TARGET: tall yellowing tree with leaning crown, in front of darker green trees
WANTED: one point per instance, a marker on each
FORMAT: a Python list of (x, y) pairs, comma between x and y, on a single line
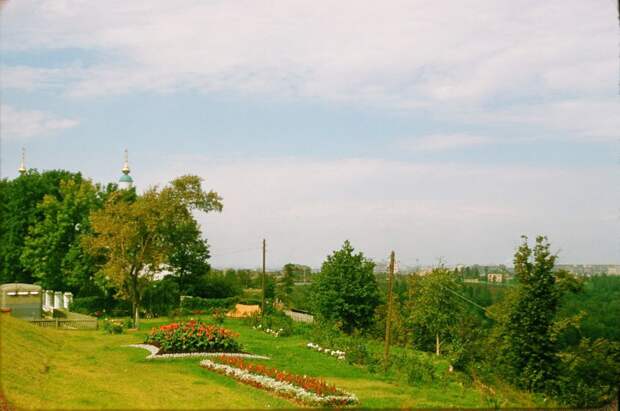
[(137, 239)]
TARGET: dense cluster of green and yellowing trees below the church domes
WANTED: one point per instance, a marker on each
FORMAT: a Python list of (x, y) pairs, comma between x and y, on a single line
[(66, 233)]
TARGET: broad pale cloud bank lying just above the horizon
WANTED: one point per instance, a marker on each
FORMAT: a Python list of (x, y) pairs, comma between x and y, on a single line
[(466, 213)]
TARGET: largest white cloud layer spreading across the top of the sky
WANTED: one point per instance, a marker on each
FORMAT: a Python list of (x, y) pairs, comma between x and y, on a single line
[(475, 56)]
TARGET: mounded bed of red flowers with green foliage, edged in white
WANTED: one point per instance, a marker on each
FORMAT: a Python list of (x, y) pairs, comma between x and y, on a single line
[(193, 336)]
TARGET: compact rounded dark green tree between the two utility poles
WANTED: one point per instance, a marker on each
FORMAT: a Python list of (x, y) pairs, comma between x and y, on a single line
[(346, 290)]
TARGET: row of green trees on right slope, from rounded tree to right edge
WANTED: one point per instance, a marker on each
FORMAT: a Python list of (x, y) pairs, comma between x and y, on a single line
[(522, 338)]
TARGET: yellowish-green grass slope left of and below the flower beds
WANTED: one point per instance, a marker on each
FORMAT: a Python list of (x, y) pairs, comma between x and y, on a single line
[(42, 368)]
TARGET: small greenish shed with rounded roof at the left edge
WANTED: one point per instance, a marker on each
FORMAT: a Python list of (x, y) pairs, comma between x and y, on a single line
[(24, 300)]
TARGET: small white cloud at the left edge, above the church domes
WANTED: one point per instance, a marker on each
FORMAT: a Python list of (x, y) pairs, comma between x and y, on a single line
[(23, 124)]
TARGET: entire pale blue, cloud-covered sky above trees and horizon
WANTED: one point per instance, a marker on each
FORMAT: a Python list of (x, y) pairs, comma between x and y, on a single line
[(437, 129)]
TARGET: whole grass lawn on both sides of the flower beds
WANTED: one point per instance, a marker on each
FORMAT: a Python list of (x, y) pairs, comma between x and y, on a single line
[(47, 368)]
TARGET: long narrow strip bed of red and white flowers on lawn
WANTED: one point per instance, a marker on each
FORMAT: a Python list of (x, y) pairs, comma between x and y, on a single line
[(305, 389)]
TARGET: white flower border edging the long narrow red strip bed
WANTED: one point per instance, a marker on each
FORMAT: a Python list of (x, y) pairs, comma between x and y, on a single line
[(279, 387)]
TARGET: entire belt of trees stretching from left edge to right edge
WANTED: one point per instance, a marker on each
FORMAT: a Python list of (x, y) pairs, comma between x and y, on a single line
[(547, 333)]
